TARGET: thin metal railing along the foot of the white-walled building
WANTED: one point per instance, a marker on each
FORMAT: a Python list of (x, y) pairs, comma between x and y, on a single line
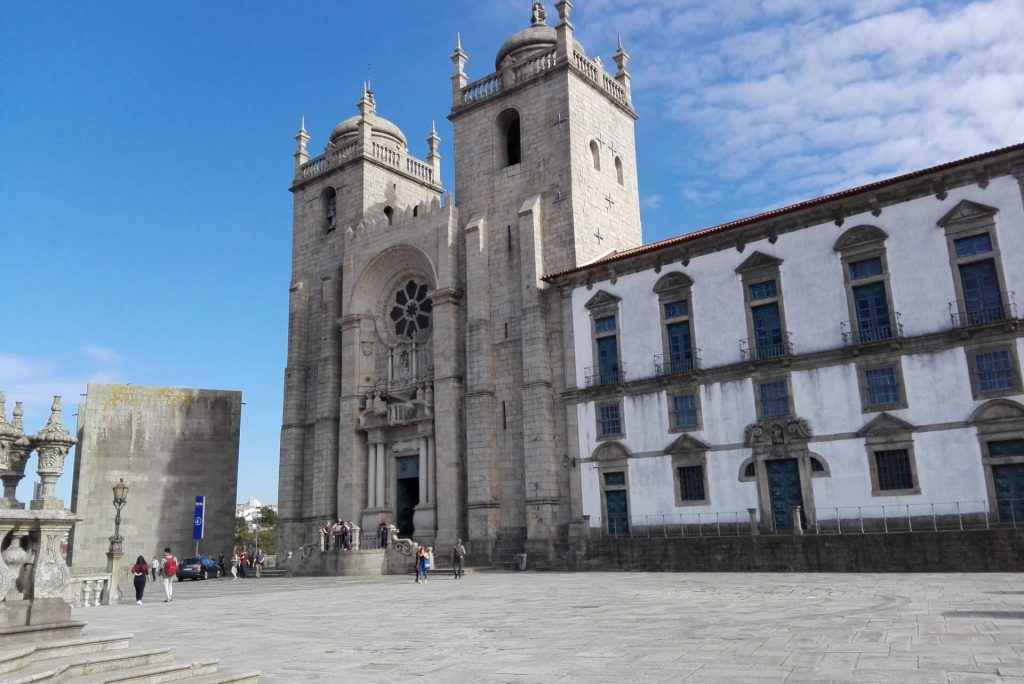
[(888, 519)]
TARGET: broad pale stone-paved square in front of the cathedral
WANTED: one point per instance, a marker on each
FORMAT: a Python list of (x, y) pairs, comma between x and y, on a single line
[(534, 627)]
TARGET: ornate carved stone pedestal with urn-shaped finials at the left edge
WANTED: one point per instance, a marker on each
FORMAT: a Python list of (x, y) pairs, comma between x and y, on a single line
[(34, 577)]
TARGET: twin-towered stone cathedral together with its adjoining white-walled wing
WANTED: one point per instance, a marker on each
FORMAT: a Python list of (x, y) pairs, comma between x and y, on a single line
[(521, 372)]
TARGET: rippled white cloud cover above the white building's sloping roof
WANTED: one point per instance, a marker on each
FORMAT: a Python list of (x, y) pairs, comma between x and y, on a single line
[(819, 96)]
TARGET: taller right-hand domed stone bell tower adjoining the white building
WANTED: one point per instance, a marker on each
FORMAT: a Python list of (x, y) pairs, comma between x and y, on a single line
[(545, 181)]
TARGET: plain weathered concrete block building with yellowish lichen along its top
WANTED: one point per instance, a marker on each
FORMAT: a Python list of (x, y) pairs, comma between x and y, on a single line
[(170, 445)]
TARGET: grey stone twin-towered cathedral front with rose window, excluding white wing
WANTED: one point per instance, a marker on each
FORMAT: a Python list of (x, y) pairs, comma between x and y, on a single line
[(425, 352)]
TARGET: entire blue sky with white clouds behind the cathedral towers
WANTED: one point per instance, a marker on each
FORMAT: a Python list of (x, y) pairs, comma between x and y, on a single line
[(145, 213)]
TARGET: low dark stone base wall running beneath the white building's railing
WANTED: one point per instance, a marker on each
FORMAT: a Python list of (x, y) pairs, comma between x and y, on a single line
[(971, 551)]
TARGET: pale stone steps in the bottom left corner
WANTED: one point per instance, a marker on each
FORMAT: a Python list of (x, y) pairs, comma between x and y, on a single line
[(59, 653)]
